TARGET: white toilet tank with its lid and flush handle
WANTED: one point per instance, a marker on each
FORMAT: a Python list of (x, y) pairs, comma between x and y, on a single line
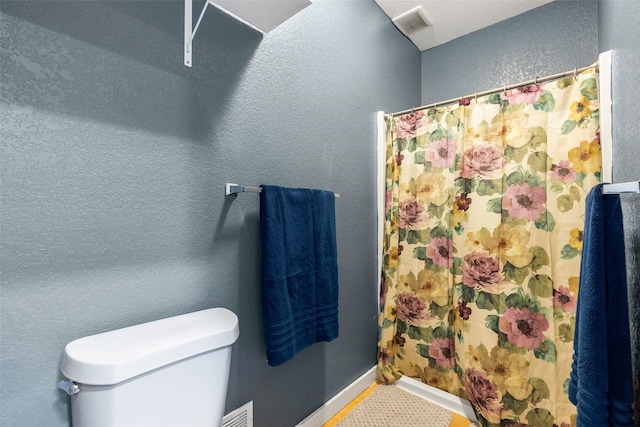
[(171, 372)]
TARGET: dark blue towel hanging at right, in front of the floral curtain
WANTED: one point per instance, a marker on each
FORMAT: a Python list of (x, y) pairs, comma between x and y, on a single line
[(600, 384)]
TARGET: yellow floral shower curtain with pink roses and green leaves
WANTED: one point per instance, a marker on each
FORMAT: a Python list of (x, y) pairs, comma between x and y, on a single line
[(481, 254)]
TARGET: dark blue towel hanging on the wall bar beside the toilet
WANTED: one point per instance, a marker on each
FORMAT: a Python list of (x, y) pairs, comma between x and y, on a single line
[(299, 270)]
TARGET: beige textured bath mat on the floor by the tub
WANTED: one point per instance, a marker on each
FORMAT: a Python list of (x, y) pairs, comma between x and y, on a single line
[(390, 406)]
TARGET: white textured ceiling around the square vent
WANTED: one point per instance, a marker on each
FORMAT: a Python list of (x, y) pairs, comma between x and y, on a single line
[(451, 19)]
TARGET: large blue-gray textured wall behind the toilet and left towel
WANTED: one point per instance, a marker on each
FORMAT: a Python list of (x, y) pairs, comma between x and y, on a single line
[(114, 159)]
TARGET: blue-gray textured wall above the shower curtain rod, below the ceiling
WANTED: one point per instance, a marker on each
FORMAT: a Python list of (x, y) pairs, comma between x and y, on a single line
[(557, 37)]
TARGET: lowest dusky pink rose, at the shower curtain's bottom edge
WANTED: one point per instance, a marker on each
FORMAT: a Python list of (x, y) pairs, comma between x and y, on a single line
[(483, 394)]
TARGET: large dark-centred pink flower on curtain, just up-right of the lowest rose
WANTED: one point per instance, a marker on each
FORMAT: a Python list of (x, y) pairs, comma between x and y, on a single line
[(523, 328)]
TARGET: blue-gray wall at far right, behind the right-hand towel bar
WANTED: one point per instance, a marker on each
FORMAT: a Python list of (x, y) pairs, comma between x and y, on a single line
[(619, 23)]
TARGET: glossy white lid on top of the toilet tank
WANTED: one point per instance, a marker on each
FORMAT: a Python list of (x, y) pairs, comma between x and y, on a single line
[(115, 356)]
